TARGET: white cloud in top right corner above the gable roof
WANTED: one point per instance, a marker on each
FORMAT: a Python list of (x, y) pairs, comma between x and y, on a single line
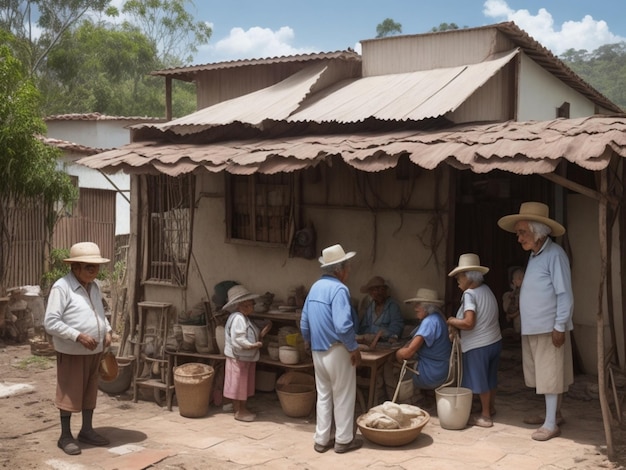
[(584, 34)]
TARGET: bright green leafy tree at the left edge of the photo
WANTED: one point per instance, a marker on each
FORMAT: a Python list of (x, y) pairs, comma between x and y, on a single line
[(27, 165)]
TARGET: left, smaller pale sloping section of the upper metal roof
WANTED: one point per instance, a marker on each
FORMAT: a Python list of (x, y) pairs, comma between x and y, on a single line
[(276, 102)]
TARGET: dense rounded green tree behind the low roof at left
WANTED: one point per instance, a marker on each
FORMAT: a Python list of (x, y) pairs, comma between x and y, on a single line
[(103, 69)]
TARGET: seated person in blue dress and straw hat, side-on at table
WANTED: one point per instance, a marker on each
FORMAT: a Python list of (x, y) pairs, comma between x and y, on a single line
[(430, 343)]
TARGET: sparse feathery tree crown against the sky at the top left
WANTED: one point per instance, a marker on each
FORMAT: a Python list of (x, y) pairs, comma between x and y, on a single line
[(170, 27)]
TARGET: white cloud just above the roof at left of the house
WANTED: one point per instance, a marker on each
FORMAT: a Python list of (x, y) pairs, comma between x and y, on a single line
[(255, 42)]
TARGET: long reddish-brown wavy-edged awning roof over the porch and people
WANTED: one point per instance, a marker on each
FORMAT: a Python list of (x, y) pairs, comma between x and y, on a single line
[(518, 147)]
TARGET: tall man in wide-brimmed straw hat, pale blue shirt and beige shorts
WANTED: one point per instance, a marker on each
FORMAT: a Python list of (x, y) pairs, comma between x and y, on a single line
[(546, 309)]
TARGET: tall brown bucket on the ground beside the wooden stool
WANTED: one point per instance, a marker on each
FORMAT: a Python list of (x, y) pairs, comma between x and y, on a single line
[(193, 382)]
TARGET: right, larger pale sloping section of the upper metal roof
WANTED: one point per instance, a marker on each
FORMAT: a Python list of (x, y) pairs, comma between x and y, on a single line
[(405, 96)]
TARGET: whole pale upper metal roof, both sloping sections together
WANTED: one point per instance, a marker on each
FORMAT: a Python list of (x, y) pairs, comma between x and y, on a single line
[(399, 97)]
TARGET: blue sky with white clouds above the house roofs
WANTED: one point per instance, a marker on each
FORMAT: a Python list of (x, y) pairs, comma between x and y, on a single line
[(245, 29)]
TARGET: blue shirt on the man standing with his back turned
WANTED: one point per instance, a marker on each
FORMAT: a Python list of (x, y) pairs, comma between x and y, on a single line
[(327, 315)]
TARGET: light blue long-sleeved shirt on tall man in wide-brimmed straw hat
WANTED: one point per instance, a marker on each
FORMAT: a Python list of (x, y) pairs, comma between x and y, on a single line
[(546, 297)]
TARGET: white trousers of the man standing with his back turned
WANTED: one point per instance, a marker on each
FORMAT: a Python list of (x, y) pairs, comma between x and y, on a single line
[(335, 380)]
